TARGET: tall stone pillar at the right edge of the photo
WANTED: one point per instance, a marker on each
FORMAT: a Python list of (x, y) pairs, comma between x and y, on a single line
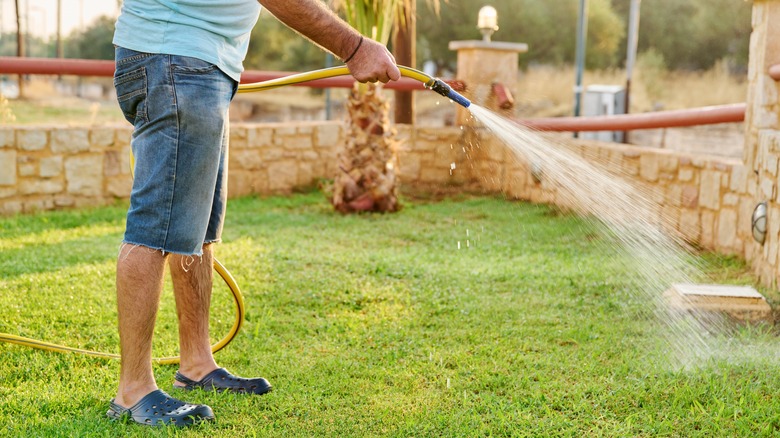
[(762, 133)]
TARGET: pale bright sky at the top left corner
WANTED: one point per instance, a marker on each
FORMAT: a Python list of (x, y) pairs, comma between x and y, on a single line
[(43, 14)]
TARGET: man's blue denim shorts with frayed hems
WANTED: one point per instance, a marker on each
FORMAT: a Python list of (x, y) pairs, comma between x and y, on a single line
[(179, 110)]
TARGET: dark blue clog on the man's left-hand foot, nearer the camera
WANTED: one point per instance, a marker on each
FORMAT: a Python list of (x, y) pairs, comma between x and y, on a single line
[(158, 408)]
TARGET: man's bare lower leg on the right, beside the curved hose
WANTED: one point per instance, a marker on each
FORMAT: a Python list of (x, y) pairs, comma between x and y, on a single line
[(192, 282)]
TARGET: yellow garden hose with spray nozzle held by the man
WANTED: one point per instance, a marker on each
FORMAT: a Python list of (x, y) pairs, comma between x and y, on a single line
[(429, 82)]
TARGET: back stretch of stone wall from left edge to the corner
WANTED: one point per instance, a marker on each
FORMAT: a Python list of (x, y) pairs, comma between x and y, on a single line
[(49, 167)]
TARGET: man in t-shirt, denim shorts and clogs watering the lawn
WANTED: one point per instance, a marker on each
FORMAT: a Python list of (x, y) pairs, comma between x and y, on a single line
[(177, 69)]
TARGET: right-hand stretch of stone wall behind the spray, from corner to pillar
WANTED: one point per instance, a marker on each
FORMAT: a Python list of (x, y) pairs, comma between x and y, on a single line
[(705, 199)]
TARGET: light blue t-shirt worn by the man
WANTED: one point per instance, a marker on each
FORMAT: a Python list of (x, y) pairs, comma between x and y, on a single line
[(210, 30)]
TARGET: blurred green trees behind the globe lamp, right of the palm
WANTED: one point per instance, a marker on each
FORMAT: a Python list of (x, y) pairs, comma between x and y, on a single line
[(688, 34)]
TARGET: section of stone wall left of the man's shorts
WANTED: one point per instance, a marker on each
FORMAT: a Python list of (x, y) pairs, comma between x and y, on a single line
[(48, 167)]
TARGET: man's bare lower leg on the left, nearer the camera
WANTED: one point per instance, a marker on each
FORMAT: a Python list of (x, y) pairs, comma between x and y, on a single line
[(139, 281)]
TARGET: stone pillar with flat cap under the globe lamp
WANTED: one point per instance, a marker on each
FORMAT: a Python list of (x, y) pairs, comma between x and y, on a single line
[(482, 64)]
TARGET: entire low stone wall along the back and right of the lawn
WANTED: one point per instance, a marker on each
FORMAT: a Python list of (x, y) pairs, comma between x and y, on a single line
[(708, 199)]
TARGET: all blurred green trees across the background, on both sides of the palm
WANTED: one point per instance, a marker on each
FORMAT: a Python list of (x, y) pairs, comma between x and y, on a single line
[(685, 34)]
